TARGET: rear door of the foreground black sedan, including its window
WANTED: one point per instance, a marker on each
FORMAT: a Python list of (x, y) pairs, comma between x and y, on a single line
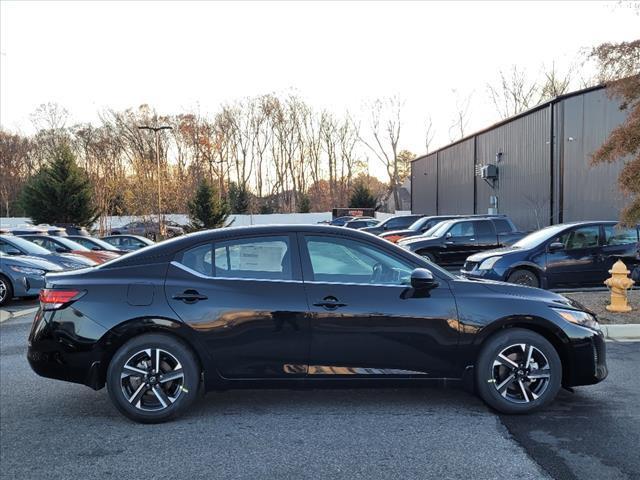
[(268, 337)]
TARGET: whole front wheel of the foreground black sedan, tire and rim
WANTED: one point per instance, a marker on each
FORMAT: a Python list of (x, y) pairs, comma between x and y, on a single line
[(505, 385)]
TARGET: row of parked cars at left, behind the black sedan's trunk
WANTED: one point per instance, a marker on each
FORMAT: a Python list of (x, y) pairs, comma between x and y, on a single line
[(27, 257)]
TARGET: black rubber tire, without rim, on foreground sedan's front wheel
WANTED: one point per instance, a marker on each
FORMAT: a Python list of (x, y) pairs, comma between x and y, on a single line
[(484, 370)]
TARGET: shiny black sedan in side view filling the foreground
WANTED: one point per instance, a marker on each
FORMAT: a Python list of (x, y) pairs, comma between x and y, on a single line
[(293, 305)]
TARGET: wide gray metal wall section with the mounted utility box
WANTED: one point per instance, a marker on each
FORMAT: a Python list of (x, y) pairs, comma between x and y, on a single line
[(524, 171)]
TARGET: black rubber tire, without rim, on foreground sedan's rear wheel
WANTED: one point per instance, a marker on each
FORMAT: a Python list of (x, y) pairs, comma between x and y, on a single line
[(178, 349)]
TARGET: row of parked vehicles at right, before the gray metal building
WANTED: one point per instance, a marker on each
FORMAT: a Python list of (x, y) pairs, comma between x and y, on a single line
[(578, 254)]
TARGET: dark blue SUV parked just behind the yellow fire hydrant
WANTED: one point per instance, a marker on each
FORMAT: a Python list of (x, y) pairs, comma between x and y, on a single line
[(568, 255)]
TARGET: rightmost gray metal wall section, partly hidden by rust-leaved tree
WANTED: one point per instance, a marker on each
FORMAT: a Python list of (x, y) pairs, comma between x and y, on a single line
[(589, 192)]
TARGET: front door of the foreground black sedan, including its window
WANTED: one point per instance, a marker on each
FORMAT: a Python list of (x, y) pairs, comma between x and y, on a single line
[(362, 321)]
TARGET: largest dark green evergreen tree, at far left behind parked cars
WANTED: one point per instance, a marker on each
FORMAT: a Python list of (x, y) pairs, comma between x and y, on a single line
[(60, 192)]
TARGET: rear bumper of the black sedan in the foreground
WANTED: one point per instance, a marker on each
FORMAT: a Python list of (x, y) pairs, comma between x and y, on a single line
[(64, 344)]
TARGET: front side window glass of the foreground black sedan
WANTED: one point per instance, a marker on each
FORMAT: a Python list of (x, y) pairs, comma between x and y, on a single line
[(340, 260)]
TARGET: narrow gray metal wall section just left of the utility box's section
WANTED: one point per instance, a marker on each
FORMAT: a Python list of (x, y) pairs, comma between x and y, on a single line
[(455, 178)]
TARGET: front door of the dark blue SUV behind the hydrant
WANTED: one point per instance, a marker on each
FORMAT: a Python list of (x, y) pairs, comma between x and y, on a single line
[(577, 262)]
